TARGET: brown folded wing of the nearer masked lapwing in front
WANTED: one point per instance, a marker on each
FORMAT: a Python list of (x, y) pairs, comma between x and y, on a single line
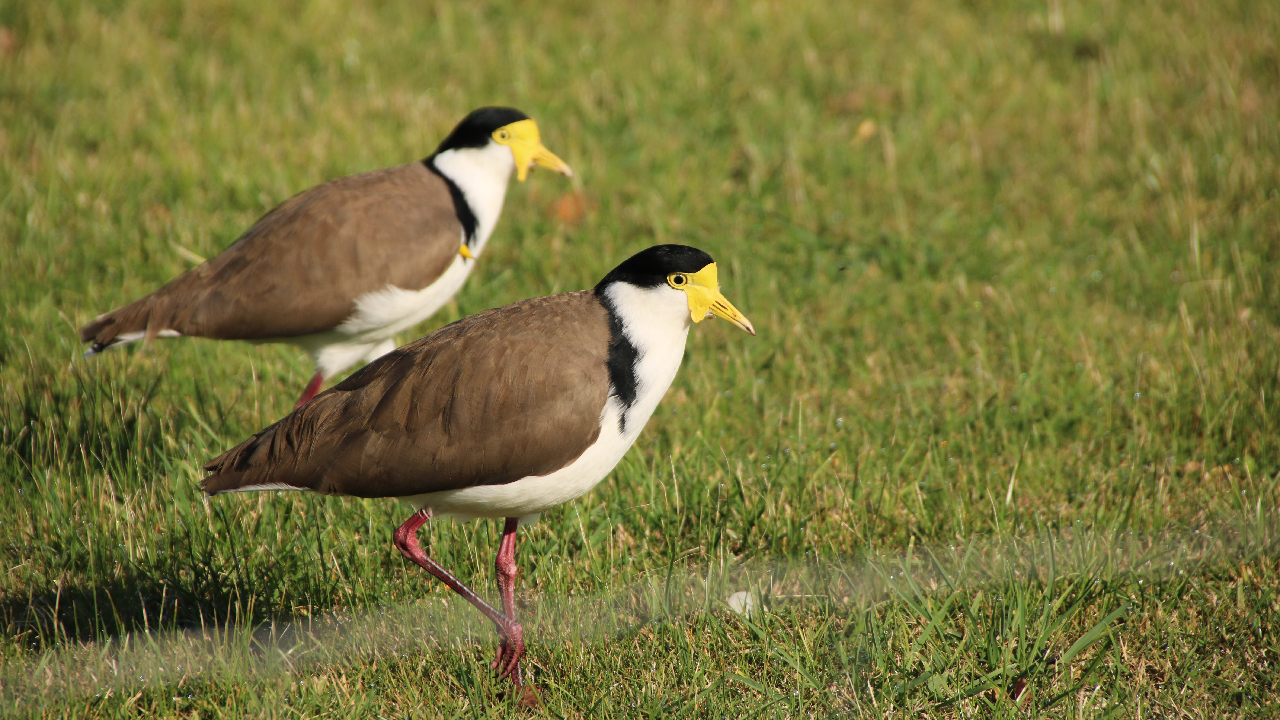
[(495, 398)]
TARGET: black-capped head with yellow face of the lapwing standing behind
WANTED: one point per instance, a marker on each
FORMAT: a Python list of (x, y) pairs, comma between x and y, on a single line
[(491, 129)]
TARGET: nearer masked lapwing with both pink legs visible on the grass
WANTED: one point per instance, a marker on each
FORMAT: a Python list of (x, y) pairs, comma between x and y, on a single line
[(504, 414)]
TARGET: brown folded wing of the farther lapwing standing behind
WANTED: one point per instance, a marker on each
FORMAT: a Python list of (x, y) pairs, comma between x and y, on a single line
[(300, 268)]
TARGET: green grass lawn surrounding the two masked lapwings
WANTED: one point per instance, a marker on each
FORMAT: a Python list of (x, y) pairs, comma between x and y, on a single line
[(1007, 443)]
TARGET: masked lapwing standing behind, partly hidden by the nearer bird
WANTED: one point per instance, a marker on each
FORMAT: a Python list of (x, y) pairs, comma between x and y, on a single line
[(346, 266)]
